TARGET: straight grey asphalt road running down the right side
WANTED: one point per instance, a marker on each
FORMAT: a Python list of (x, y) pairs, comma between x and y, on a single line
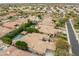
[(73, 41)]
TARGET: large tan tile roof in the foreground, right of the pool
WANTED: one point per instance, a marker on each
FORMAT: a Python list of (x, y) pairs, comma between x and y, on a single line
[(34, 42)]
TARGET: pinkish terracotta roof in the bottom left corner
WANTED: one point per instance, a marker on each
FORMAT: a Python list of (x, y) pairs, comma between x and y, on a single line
[(13, 51)]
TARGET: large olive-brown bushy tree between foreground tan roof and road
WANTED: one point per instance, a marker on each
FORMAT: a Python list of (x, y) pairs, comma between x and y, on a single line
[(62, 48)]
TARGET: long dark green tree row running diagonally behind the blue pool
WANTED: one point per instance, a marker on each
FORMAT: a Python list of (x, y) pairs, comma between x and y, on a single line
[(24, 27)]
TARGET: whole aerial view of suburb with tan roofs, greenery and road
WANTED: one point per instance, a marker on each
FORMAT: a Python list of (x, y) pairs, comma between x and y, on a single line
[(39, 29)]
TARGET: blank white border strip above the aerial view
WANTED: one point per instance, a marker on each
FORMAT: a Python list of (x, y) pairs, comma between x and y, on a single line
[(39, 1)]
